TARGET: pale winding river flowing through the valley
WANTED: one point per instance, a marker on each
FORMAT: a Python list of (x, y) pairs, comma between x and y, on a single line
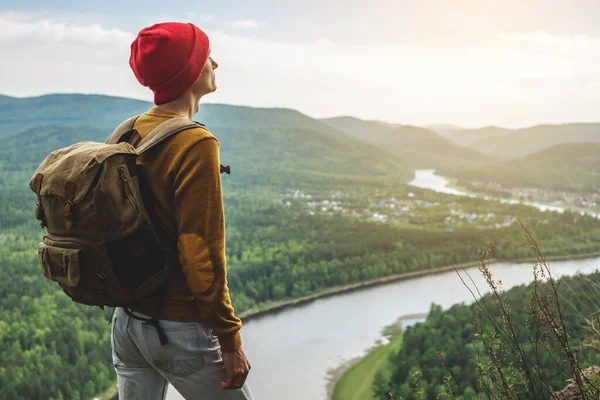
[(293, 350)]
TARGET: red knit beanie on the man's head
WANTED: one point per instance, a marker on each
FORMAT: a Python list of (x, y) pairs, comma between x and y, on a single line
[(169, 58)]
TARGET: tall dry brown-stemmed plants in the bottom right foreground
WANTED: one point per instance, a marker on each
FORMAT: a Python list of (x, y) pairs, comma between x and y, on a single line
[(502, 366)]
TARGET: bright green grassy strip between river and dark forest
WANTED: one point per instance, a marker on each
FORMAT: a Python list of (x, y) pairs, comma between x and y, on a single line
[(356, 383)]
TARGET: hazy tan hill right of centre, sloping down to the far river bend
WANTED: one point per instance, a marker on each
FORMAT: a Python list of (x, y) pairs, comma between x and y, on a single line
[(418, 147)]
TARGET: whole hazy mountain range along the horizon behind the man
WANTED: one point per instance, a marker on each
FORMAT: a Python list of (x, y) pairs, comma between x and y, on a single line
[(285, 148)]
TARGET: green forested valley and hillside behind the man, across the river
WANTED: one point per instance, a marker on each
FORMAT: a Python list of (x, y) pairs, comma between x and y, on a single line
[(312, 209)]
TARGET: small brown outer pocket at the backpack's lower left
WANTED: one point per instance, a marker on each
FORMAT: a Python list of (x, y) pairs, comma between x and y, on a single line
[(60, 264)]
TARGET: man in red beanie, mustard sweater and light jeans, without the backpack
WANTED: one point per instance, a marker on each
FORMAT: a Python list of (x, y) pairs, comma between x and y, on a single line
[(203, 358)]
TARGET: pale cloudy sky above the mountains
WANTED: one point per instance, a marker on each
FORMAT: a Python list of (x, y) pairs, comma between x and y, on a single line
[(472, 63)]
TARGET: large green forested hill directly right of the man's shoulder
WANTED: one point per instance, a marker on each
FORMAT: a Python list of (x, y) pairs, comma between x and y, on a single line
[(276, 141)]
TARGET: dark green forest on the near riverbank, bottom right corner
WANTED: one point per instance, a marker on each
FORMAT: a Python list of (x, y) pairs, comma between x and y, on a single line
[(500, 347)]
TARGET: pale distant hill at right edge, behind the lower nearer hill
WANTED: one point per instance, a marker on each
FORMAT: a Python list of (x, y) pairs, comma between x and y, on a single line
[(521, 142)]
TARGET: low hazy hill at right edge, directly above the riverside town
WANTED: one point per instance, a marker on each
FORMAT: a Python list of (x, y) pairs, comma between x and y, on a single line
[(567, 166)]
